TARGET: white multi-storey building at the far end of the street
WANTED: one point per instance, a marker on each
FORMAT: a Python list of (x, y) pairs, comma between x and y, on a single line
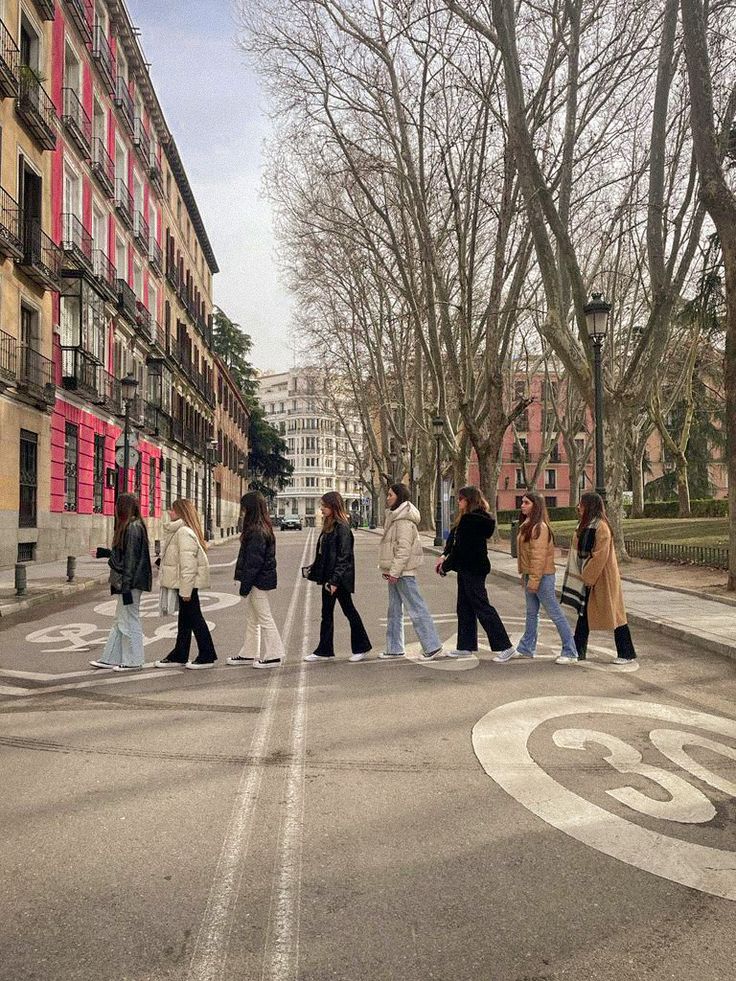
[(323, 451)]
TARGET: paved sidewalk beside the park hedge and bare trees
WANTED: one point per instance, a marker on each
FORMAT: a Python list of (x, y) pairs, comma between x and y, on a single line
[(698, 619)]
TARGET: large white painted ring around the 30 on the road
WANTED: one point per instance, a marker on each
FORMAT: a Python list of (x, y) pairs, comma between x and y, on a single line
[(500, 742)]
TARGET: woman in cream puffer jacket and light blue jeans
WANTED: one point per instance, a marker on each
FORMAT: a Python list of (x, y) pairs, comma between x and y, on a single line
[(399, 556)]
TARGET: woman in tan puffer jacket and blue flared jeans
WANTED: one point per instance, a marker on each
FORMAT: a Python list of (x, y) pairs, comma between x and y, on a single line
[(536, 564)]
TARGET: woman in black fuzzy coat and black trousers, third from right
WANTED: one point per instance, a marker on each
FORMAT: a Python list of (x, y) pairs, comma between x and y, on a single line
[(466, 553)]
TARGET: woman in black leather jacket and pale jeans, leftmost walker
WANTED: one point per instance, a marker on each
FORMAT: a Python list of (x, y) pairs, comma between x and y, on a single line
[(130, 576)]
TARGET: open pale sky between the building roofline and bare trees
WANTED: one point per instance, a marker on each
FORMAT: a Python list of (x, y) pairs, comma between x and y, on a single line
[(215, 111)]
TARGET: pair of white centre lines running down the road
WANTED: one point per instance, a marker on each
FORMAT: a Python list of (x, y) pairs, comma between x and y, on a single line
[(282, 941)]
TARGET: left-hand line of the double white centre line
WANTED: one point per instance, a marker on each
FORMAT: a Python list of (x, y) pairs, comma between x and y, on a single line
[(210, 950)]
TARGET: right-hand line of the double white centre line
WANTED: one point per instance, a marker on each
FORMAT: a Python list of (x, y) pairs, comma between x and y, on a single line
[(281, 955)]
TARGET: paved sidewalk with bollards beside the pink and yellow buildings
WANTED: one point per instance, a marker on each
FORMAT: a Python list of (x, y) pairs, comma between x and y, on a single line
[(47, 581)]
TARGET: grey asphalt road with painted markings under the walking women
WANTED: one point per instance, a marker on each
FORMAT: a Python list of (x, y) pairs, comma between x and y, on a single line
[(361, 822)]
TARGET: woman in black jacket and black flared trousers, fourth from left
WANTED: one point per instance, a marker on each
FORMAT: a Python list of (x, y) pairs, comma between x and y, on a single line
[(334, 569)]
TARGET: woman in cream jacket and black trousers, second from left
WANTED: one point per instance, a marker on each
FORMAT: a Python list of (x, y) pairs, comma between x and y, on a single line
[(186, 569)]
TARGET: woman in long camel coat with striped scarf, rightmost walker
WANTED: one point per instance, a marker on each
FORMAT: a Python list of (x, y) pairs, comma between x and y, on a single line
[(592, 583)]
